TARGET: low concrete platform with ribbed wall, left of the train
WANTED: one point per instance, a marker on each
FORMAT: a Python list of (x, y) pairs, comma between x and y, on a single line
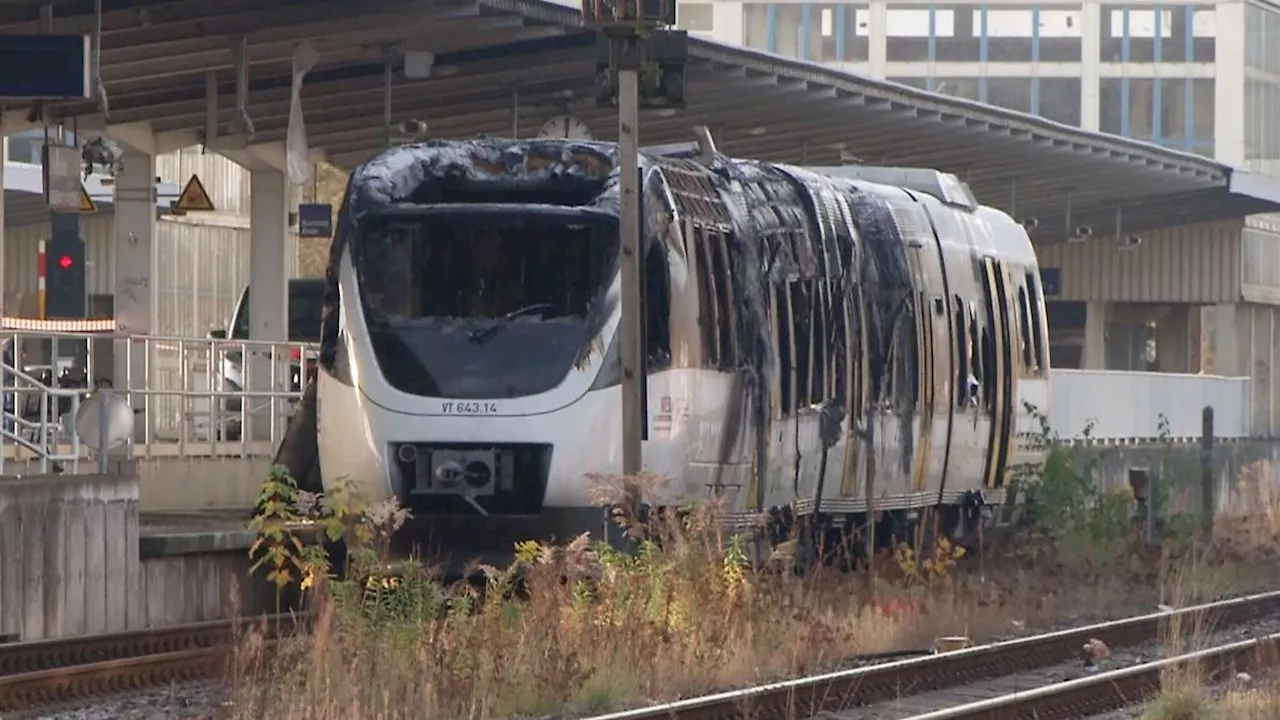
[(81, 559)]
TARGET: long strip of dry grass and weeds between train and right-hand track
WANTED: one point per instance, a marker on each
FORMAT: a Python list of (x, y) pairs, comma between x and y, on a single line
[(592, 631)]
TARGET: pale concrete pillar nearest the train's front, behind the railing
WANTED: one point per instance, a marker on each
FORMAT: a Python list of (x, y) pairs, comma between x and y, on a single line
[(268, 282)]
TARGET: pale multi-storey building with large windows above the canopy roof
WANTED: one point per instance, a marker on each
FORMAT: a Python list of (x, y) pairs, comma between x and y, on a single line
[(1148, 71)]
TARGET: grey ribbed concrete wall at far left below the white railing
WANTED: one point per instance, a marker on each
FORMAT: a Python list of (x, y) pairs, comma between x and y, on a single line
[(70, 557)]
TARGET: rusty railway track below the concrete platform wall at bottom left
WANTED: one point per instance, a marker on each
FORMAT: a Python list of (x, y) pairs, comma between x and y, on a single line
[(48, 673)]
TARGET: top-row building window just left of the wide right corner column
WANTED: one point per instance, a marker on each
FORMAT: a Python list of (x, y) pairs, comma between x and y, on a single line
[(1162, 34)]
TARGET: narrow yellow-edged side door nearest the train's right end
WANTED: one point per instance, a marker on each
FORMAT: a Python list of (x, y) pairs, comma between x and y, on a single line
[(998, 370)]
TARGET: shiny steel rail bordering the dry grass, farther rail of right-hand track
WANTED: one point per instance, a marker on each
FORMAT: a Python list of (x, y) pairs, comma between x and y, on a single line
[(844, 690)]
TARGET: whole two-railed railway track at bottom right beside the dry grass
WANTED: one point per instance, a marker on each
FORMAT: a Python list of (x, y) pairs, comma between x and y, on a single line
[(853, 695)]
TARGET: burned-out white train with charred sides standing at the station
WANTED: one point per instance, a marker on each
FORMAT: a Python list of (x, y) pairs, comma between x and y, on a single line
[(820, 341)]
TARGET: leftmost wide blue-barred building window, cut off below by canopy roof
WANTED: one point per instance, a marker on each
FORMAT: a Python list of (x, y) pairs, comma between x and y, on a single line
[(820, 33)]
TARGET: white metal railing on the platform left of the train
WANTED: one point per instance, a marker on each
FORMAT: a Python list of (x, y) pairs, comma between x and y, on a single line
[(190, 397)]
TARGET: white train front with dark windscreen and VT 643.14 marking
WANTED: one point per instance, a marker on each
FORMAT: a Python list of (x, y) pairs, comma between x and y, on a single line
[(469, 340)]
